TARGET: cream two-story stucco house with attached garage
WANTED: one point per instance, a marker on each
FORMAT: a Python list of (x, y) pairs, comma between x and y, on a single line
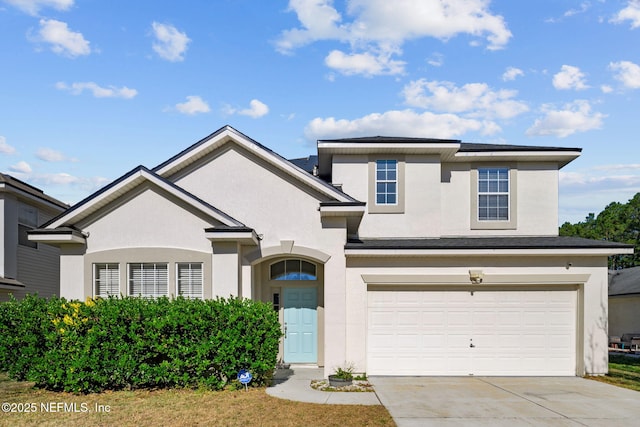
[(403, 256)]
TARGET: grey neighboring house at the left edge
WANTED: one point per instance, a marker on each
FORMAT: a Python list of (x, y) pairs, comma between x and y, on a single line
[(26, 267)]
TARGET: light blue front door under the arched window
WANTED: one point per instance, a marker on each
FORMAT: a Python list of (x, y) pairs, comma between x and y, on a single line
[(301, 325)]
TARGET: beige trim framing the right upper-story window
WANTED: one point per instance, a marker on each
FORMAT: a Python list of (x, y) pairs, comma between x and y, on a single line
[(512, 222)]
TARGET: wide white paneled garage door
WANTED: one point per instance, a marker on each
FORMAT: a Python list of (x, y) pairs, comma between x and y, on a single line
[(471, 333)]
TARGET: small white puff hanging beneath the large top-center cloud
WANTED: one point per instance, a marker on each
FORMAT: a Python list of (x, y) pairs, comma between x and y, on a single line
[(367, 64)]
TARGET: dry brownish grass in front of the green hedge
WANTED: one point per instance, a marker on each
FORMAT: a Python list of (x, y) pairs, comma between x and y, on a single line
[(177, 408)]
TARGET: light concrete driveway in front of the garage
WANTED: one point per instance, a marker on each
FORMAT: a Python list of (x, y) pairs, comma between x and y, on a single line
[(506, 401)]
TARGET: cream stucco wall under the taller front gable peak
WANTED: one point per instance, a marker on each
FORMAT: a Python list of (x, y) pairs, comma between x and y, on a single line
[(258, 195)]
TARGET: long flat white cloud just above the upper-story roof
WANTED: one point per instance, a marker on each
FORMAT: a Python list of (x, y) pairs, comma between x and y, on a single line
[(398, 122)]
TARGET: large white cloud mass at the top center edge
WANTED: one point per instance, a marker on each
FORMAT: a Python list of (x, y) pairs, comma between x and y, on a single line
[(379, 28)]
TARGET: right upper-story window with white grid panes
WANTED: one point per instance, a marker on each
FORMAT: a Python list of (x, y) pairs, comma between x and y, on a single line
[(493, 194)]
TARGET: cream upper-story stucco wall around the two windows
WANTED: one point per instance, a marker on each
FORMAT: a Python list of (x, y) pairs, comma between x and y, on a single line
[(437, 200)]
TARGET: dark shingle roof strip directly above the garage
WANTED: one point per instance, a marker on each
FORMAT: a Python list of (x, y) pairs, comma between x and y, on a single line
[(448, 243)]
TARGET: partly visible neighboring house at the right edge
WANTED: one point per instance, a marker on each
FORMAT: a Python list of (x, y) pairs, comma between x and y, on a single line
[(624, 301)]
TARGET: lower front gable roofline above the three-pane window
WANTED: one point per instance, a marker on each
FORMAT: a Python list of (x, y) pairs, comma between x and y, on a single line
[(149, 175)]
